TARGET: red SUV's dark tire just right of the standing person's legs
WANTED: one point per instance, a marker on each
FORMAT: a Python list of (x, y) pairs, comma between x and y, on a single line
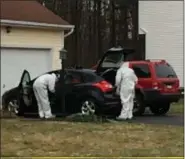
[(139, 106)]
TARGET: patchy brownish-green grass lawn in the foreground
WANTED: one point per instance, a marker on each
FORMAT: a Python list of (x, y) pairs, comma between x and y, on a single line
[(20, 137)]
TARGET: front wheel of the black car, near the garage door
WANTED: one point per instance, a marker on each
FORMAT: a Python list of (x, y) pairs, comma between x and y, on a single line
[(13, 106)]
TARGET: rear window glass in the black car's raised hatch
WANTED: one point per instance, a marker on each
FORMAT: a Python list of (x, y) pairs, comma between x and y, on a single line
[(113, 59)]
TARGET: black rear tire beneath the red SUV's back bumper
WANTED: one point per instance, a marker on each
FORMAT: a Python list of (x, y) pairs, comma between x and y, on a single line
[(160, 110)]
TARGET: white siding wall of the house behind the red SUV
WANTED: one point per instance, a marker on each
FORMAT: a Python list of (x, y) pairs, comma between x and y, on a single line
[(163, 21)]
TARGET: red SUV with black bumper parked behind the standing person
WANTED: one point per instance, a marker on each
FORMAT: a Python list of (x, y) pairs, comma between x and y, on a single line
[(158, 83)]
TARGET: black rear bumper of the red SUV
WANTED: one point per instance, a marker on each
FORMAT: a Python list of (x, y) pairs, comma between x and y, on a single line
[(151, 95)]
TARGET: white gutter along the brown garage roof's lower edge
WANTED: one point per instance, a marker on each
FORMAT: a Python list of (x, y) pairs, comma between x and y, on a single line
[(5, 22)]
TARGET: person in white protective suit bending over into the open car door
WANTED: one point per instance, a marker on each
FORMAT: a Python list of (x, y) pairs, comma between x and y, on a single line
[(40, 87)]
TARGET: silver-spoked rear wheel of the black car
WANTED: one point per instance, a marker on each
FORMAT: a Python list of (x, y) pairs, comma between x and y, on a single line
[(88, 107)]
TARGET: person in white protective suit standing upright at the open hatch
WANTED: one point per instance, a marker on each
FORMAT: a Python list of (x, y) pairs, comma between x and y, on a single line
[(125, 82)]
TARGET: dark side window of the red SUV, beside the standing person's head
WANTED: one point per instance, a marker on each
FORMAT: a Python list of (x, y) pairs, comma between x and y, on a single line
[(141, 70)]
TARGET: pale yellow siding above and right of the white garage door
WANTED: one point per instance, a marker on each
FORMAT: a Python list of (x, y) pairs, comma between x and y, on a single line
[(35, 38)]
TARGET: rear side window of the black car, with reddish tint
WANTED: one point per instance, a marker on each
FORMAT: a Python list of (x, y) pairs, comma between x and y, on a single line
[(73, 78)]
